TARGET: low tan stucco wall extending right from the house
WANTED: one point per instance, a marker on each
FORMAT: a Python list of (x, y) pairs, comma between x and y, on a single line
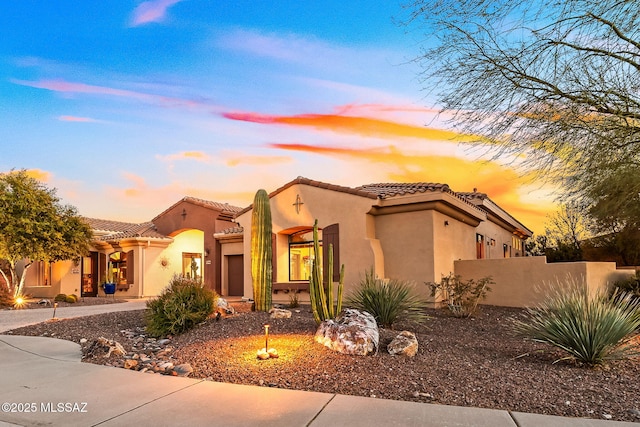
[(521, 282)]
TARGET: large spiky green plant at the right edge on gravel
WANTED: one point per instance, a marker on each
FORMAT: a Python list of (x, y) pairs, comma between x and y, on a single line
[(591, 330)]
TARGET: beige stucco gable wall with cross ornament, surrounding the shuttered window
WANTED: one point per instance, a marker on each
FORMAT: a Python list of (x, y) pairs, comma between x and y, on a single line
[(357, 250)]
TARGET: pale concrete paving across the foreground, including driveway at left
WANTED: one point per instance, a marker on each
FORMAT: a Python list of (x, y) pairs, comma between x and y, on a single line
[(43, 382)]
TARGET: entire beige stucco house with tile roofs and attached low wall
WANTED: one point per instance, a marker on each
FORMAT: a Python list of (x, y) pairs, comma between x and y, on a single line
[(408, 231)]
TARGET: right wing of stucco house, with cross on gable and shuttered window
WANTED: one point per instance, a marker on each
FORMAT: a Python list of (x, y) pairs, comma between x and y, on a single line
[(411, 231)]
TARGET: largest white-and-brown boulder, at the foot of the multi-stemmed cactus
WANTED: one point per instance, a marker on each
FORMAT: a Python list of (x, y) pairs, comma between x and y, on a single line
[(352, 332)]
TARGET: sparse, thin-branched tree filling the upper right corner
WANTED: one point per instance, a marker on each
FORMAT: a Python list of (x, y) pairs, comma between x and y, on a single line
[(554, 83)]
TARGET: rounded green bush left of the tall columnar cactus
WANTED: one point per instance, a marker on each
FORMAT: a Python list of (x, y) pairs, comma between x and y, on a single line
[(181, 306)]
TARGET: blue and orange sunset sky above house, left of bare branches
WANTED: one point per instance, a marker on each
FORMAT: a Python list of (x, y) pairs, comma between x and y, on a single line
[(126, 106)]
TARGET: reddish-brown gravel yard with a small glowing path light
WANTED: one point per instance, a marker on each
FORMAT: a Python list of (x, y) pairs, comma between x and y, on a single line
[(467, 362)]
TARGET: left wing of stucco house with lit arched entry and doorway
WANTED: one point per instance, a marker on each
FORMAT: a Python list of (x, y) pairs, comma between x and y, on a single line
[(142, 257)]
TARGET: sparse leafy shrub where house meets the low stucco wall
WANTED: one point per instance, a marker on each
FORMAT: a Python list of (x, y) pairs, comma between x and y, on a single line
[(462, 297)]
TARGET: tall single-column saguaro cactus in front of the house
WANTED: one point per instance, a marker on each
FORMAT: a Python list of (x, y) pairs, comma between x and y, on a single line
[(261, 252)]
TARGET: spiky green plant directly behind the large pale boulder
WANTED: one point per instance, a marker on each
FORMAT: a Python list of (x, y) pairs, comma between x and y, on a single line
[(388, 301)]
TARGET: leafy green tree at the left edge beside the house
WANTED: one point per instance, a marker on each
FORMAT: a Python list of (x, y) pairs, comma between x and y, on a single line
[(35, 226)]
